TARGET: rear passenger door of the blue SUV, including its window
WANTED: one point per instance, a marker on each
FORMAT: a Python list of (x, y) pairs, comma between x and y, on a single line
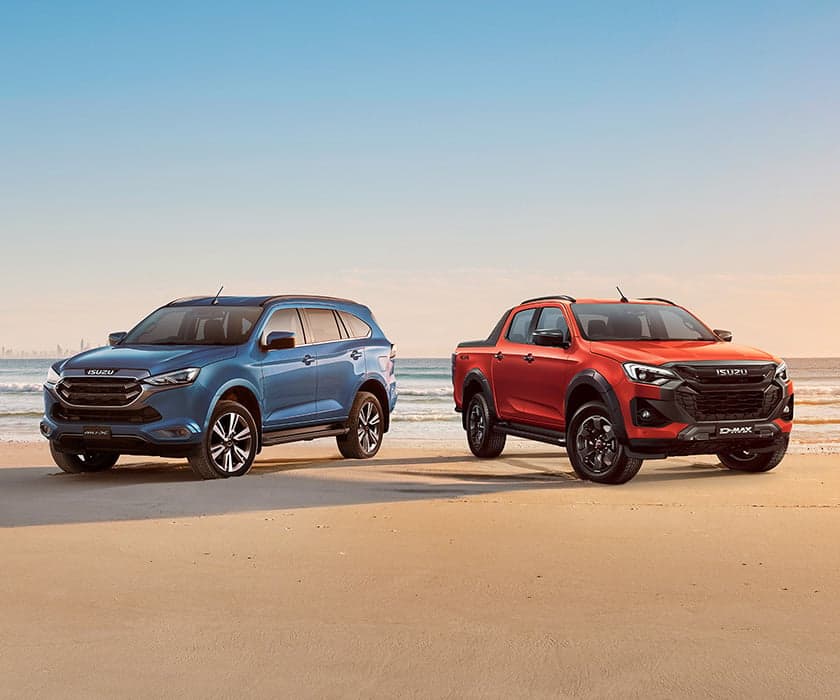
[(340, 359)]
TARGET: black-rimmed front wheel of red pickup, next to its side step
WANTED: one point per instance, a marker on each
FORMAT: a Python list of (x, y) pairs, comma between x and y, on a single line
[(594, 449)]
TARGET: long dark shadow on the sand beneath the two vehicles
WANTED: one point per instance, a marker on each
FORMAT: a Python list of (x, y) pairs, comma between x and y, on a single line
[(153, 490)]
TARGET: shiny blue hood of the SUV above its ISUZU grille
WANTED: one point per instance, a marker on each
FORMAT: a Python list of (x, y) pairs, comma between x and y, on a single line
[(153, 358)]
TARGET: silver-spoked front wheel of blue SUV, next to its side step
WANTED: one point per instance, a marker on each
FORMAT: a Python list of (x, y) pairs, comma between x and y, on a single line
[(230, 445)]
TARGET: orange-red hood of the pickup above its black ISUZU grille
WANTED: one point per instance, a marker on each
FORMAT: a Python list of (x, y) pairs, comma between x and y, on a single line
[(660, 352)]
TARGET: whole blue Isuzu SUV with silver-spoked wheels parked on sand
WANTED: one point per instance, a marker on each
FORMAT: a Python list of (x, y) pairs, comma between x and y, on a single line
[(216, 379)]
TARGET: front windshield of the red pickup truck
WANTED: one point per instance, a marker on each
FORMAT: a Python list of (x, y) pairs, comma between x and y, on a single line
[(638, 322)]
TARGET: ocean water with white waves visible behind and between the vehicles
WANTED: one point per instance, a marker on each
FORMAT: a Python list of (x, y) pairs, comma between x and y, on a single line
[(425, 410)]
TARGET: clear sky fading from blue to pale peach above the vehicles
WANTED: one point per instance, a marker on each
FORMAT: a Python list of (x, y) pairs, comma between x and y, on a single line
[(438, 161)]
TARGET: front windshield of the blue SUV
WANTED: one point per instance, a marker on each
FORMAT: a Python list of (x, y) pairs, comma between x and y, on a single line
[(195, 325)]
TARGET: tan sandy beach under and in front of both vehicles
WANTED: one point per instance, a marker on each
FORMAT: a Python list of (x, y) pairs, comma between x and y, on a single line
[(420, 574)]
